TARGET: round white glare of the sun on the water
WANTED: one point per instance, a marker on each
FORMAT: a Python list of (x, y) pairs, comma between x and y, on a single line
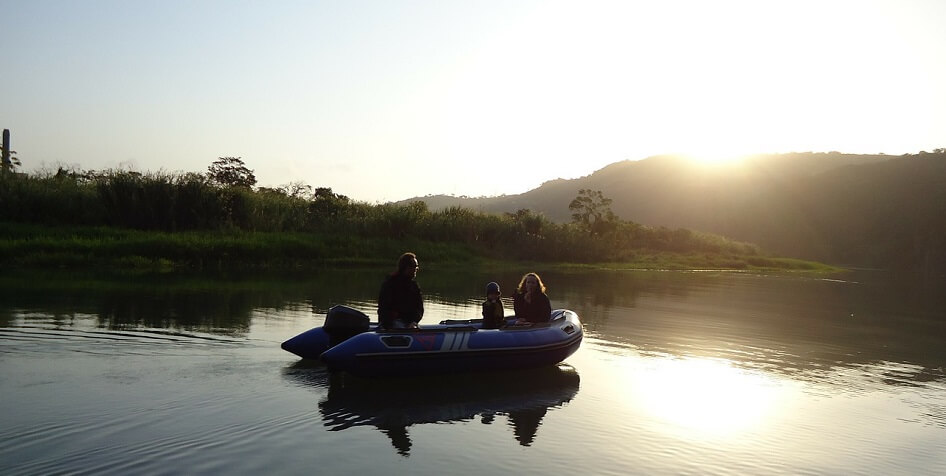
[(705, 397)]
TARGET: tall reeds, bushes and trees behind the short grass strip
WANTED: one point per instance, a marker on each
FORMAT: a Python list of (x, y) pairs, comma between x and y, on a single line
[(226, 198)]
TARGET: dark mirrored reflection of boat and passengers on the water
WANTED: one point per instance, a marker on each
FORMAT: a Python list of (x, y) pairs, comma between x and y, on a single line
[(392, 406)]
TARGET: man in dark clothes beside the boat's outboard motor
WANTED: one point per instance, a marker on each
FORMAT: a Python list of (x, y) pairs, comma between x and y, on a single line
[(400, 303)]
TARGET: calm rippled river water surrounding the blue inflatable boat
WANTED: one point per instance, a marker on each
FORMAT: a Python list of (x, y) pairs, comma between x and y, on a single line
[(679, 373)]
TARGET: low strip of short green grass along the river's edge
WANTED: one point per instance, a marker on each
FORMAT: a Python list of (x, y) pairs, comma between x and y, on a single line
[(42, 246)]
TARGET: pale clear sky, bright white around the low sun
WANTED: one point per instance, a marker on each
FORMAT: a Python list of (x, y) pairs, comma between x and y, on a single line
[(387, 100)]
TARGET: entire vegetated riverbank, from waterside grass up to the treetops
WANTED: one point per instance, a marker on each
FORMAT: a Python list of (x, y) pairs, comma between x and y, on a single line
[(161, 220)]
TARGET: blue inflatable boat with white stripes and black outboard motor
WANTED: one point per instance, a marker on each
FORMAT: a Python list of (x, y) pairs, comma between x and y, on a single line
[(349, 342)]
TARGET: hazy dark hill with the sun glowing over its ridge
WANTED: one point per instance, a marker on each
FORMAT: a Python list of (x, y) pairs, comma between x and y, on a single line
[(862, 210)]
